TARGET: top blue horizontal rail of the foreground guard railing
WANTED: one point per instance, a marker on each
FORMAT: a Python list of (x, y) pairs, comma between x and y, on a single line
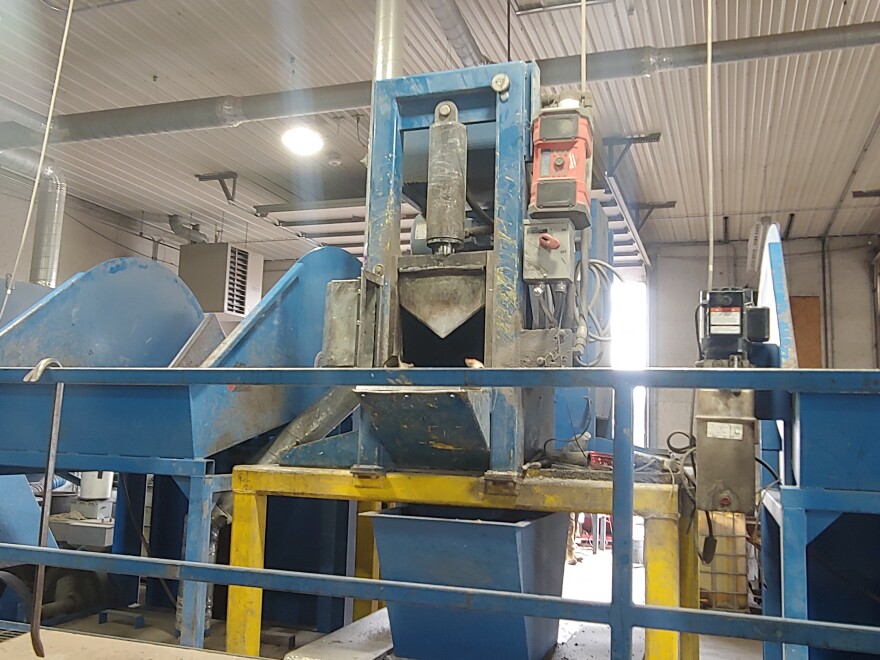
[(791, 380)]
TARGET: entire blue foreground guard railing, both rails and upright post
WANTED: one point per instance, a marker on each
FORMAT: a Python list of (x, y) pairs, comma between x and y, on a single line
[(621, 614)]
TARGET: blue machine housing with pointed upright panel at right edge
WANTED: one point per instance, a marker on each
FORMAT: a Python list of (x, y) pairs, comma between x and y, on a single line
[(820, 525)]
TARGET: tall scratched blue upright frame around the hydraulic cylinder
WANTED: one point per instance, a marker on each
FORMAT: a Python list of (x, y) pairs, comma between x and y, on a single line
[(405, 105)]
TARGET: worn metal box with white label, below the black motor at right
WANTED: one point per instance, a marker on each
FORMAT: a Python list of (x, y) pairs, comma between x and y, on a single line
[(726, 433)]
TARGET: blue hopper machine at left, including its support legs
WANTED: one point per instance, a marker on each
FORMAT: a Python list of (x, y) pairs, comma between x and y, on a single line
[(136, 313)]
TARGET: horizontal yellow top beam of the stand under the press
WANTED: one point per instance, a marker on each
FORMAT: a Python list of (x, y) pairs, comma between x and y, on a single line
[(532, 493)]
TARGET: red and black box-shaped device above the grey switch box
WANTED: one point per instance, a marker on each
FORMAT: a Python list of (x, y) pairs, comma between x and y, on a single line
[(563, 164)]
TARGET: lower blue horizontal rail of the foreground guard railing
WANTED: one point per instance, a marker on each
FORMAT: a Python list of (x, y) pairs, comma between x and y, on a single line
[(772, 629)]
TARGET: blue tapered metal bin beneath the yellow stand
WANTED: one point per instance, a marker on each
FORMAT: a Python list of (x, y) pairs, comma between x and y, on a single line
[(517, 551)]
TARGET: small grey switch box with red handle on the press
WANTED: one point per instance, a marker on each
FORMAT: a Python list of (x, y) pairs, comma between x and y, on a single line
[(548, 251)]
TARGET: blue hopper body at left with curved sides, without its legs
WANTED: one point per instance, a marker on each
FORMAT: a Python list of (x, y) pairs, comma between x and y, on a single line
[(134, 312)]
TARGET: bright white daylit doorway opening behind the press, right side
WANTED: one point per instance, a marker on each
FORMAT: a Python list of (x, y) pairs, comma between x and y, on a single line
[(629, 344)]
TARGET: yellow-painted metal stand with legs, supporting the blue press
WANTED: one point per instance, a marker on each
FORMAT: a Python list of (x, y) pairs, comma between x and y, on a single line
[(671, 569)]
